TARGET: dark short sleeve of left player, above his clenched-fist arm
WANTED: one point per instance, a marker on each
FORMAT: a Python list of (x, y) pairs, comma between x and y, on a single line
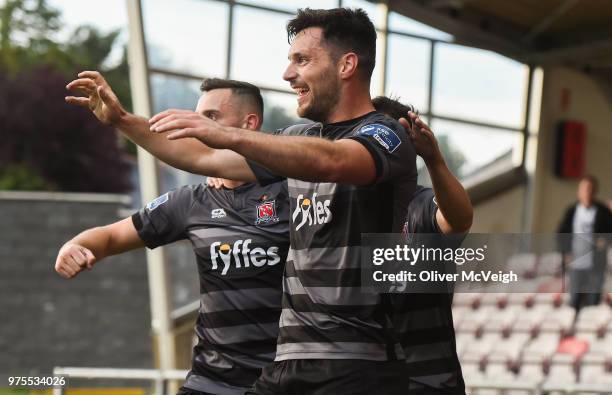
[(165, 219)]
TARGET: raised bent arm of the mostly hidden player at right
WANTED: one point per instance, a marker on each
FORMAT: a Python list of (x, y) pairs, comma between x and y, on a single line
[(455, 212)]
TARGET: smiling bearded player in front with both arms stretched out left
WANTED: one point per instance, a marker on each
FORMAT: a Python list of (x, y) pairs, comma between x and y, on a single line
[(353, 172)]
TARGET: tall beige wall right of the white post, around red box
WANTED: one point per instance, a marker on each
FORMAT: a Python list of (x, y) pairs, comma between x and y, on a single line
[(586, 104)]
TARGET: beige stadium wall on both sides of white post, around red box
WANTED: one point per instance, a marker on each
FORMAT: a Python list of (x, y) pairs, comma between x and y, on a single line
[(550, 195)]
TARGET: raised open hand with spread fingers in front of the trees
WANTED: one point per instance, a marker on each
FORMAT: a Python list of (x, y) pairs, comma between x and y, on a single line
[(99, 97)]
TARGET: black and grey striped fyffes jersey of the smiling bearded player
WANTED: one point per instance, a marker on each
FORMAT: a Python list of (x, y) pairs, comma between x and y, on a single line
[(326, 312)]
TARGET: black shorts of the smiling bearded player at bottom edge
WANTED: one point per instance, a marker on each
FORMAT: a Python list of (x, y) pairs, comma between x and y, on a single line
[(332, 377)]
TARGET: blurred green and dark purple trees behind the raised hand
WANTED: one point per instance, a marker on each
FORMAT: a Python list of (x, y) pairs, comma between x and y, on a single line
[(35, 66)]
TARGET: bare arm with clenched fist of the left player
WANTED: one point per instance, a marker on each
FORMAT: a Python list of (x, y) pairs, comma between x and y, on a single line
[(94, 244)]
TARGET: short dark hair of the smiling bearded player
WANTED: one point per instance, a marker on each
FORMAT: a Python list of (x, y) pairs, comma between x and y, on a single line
[(349, 30)]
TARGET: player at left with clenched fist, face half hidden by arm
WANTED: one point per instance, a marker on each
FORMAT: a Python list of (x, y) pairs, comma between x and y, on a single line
[(240, 236)]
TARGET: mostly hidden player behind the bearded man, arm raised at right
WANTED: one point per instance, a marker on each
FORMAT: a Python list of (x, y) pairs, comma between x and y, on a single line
[(431, 354)]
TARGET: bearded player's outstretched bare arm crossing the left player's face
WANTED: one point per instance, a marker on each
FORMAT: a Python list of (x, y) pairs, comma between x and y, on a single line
[(306, 158)]
